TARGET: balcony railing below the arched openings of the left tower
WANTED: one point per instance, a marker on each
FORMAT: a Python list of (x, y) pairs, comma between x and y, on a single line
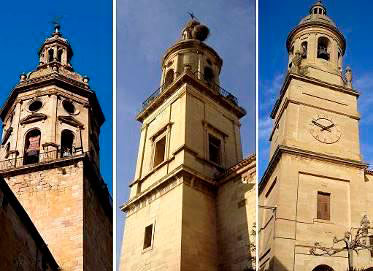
[(41, 158)]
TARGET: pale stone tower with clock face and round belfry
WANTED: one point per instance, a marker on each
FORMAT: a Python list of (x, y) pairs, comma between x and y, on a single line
[(316, 186)]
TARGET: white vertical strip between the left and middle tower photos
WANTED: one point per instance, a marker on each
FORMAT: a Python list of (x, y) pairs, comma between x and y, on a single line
[(114, 135)]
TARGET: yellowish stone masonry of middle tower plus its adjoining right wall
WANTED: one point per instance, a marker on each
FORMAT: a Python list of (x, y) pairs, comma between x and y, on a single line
[(191, 204)]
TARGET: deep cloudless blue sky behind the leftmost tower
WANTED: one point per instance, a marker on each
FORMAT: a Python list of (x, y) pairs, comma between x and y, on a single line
[(87, 25)]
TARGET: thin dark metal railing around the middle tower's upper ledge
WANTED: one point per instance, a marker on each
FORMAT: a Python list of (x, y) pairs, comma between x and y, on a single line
[(200, 77)]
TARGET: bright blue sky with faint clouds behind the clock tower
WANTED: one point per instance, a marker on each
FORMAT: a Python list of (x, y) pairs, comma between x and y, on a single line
[(276, 20)]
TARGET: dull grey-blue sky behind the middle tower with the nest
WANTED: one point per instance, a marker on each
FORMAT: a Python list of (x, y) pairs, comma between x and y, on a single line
[(145, 30)]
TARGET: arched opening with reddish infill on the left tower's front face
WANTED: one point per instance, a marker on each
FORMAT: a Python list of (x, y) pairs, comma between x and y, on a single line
[(32, 147)]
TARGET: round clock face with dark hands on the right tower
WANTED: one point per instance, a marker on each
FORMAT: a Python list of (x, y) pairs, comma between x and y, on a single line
[(325, 130)]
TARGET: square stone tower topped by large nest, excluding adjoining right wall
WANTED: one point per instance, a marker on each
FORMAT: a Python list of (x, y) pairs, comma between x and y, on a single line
[(190, 134)]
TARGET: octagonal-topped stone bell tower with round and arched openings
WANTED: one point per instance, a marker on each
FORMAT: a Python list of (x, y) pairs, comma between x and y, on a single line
[(49, 157)]
